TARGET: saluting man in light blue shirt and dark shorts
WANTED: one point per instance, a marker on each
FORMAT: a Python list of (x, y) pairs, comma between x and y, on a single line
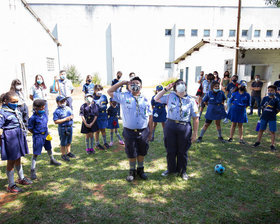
[(137, 124)]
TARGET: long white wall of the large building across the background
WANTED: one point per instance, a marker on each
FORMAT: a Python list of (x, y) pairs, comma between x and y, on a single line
[(138, 38)]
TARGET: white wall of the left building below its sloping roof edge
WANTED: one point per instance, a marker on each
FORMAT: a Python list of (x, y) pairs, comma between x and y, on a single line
[(23, 41)]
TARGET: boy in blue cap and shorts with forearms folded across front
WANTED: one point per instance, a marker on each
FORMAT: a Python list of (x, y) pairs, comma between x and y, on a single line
[(63, 116)]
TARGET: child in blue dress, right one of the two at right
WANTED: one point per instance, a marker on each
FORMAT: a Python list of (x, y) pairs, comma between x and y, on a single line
[(237, 113)]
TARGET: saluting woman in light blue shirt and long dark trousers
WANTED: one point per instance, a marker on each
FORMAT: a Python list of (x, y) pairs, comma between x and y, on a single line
[(178, 135)]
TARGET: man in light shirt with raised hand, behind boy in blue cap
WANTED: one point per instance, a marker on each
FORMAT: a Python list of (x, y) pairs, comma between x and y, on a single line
[(64, 87)]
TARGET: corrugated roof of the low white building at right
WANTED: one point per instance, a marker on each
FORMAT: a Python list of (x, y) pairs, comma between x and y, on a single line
[(268, 44)]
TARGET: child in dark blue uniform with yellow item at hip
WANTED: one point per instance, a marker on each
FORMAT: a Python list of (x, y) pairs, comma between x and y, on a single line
[(38, 126)]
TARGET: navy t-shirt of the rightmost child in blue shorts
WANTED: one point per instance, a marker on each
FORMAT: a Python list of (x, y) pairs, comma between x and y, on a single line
[(270, 107)]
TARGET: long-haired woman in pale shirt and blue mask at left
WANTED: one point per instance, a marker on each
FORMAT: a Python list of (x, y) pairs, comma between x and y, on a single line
[(39, 91)]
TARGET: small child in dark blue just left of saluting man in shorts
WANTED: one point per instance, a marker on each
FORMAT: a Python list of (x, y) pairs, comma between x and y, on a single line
[(113, 123)]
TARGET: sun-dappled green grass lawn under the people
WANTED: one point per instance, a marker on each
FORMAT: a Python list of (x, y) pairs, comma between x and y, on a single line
[(93, 189)]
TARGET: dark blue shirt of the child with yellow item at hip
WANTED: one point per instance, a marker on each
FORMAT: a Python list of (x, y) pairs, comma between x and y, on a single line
[(37, 123)]
